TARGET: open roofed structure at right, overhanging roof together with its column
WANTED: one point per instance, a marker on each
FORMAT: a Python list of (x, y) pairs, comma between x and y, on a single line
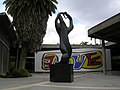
[(108, 30)]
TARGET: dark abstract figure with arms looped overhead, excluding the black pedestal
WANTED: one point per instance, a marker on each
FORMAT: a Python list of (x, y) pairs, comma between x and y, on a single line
[(63, 32)]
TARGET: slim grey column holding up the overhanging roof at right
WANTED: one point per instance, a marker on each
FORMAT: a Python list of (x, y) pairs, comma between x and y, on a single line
[(104, 58)]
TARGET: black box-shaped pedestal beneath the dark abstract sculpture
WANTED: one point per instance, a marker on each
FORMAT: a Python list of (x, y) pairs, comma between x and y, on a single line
[(61, 73)]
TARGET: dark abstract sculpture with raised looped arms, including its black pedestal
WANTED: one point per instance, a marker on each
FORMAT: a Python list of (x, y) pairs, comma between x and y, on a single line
[(63, 72)]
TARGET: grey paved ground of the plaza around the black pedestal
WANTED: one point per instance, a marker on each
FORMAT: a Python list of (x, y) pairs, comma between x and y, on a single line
[(82, 81)]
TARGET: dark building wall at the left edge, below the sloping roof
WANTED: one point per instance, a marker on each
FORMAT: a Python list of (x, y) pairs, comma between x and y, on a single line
[(4, 53)]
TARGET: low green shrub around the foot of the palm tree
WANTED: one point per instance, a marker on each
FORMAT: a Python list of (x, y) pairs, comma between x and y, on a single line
[(20, 73)]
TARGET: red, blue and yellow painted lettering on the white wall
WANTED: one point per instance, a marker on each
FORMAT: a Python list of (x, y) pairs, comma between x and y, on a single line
[(86, 60)]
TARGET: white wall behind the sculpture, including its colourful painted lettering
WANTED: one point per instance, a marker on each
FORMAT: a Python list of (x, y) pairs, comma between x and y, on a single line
[(87, 59)]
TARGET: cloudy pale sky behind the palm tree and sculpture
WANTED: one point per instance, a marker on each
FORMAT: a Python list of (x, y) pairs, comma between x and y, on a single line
[(85, 14)]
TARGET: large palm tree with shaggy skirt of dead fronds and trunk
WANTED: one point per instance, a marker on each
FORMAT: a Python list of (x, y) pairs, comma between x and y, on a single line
[(30, 21)]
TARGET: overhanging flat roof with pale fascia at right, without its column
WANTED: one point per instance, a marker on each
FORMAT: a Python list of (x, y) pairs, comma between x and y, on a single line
[(107, 30)]
